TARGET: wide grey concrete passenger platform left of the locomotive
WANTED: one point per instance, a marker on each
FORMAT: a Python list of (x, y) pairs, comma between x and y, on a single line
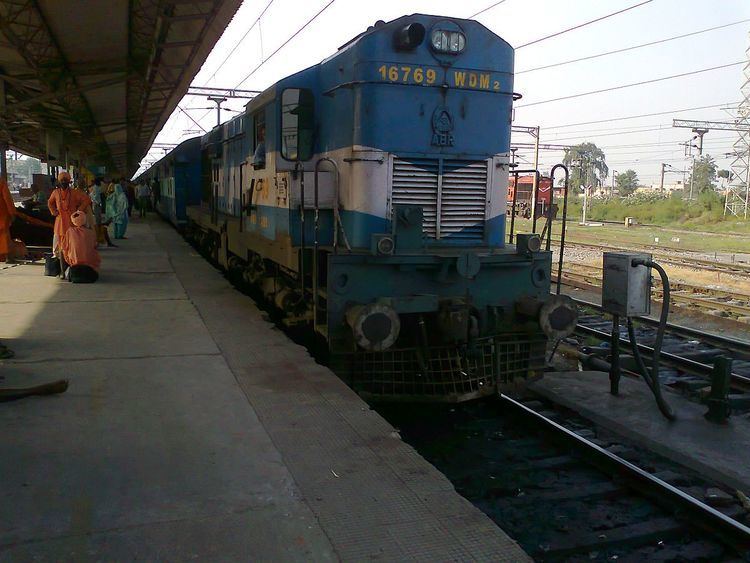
[(193, 428)]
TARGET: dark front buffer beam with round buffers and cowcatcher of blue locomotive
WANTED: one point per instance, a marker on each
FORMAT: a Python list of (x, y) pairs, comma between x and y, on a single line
[(449, 326)]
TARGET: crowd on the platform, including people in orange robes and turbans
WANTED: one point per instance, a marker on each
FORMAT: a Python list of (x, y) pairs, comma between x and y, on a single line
[(82, 214)]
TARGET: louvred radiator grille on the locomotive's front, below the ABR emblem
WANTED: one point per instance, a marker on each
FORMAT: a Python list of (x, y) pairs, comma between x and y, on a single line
[(452, 193)]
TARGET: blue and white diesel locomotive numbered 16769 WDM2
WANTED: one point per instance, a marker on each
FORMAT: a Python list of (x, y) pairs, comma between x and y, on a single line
[(365, 197)]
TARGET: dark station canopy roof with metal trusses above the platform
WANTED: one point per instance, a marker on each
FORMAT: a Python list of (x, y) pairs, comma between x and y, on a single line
[(91, 82)]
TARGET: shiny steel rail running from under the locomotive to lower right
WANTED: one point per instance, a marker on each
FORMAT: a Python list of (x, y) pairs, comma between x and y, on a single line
[(685, 508)]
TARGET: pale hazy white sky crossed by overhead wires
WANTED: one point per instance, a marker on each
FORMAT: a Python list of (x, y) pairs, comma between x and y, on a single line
[(640, 144)]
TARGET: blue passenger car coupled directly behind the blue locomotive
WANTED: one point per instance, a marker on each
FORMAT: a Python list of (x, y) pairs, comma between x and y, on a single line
[(175, 181)]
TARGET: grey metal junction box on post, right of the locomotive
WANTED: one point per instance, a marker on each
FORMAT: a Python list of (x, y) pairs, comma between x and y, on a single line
[(626, 289)]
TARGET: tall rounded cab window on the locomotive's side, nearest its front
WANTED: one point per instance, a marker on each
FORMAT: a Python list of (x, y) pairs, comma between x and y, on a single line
[(297, 124)]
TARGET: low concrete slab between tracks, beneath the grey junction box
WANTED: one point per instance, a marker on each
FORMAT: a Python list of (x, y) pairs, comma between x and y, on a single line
[(719, 452)]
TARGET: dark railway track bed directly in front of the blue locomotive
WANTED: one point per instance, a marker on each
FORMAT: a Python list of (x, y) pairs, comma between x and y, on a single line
[(565, 493)]
